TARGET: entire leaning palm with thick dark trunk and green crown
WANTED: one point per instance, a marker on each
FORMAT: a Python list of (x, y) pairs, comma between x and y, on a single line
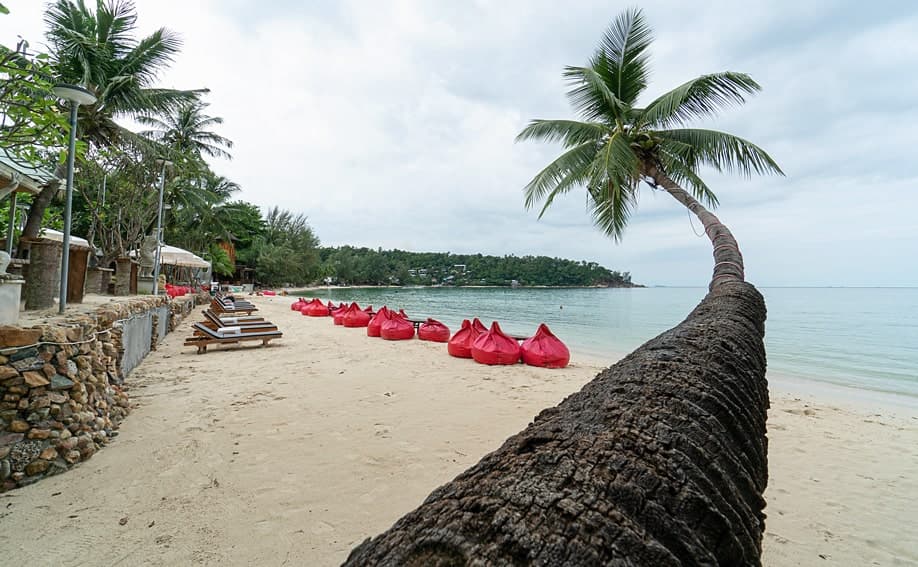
[(662, 458)]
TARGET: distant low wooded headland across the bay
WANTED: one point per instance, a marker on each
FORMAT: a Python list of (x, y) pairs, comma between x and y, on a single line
[(366, 266)]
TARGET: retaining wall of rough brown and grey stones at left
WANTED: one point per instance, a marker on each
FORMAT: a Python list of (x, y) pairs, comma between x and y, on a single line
[(62, 391)]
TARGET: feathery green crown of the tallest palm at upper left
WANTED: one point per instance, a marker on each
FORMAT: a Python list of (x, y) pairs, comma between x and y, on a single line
[(98, 50)]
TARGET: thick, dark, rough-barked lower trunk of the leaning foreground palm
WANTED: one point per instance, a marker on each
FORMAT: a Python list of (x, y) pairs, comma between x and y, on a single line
[(660, 460)]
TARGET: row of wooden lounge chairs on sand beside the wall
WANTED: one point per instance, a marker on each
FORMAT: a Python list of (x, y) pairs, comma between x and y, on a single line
[(230, 321)]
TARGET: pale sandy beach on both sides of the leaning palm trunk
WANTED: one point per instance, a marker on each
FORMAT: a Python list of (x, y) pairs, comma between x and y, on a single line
[(292, 454)]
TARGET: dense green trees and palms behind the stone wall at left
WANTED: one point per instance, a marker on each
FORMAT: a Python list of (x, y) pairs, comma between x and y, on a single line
[(116, 190)]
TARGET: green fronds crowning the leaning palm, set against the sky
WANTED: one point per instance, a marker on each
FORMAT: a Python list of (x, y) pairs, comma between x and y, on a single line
[(617, 144)]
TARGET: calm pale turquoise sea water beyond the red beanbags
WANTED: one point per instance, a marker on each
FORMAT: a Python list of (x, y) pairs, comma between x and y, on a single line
[(863, 338)]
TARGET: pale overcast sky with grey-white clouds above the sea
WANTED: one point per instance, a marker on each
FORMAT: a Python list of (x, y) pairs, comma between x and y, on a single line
[(392, 124)]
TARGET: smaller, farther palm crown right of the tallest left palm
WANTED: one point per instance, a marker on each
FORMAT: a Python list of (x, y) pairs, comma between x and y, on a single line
[(187, 129)]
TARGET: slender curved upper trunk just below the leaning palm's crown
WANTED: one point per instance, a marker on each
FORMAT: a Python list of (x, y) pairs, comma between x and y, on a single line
[(728, 260)]
